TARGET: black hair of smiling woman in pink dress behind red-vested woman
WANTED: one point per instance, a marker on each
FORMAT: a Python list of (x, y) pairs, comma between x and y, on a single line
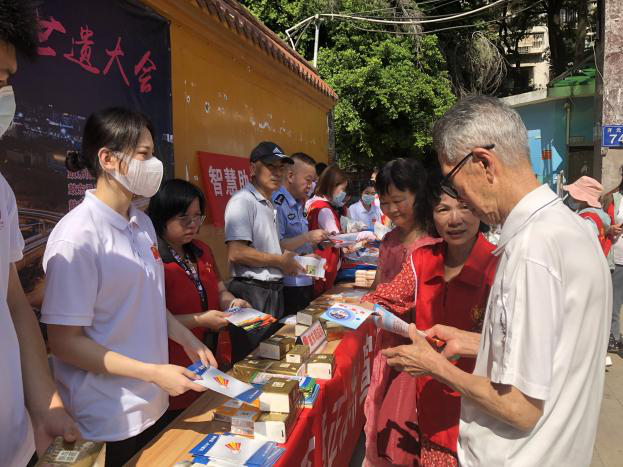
[(408, 175)]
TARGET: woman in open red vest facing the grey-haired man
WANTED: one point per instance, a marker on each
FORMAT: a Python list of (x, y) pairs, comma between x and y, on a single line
[(446, 283)]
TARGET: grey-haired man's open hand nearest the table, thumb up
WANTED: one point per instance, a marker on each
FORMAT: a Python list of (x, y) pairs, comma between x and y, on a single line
[(417, 359)]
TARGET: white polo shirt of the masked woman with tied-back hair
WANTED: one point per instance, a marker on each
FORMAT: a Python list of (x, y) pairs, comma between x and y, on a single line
[(104, 273)]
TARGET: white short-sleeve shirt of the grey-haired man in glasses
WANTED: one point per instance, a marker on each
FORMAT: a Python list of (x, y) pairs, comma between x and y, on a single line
[(545, 333)]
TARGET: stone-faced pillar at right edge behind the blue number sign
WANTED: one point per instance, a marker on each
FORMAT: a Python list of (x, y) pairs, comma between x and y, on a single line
[(608, 91)]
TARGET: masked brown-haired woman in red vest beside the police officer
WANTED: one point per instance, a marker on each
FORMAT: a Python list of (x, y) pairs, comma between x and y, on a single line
[(323, 212)]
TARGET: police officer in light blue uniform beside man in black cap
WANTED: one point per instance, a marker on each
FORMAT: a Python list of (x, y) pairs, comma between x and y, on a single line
[(292, 227)]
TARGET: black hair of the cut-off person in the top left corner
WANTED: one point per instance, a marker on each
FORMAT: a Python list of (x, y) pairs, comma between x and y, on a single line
[(18, 25)]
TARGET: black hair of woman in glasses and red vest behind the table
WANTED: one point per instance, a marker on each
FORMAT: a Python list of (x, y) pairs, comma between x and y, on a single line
[(172, 199)]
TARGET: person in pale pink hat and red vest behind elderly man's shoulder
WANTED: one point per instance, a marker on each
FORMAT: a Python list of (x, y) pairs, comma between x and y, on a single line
[(583, 198)]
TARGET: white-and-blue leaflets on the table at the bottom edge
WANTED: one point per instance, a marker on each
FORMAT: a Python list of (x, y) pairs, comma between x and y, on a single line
[(227, 450)]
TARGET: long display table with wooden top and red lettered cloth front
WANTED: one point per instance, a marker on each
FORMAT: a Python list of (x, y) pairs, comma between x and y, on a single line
[(325, 435)]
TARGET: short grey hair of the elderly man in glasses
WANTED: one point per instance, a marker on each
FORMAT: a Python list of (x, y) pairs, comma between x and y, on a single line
[(477, 121)]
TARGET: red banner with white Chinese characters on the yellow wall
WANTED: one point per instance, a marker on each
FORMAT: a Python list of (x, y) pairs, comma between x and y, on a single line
[(222, 176)]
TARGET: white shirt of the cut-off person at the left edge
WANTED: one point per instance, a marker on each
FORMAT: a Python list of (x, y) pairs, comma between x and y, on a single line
[(16, 437)]
